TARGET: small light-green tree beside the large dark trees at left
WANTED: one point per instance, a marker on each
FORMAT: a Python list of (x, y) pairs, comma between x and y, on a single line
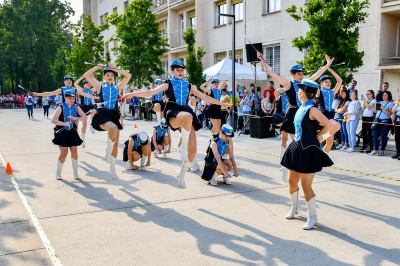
[(87, 45)]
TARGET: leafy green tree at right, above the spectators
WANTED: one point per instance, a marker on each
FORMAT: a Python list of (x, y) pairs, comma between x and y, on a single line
[(334, 30)]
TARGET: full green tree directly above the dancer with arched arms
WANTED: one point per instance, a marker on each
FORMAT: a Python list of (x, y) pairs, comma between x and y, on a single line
[(141, 44)]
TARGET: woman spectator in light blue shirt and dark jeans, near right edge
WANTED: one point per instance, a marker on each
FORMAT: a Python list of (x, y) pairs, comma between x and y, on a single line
[(383, 111)]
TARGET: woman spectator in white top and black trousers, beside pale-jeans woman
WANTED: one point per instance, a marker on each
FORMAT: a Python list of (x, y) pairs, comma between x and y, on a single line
[(367, 118)]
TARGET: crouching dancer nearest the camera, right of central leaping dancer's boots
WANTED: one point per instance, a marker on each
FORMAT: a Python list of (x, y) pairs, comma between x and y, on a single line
[(215, 164)]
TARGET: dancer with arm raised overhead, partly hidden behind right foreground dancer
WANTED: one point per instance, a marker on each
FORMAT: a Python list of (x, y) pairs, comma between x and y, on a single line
[(325, 97)]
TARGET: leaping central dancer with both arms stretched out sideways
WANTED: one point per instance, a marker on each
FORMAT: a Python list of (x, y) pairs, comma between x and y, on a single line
[(178, 113)]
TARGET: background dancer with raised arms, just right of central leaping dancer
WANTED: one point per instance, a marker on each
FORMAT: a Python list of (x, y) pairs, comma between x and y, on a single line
[(213, 111)]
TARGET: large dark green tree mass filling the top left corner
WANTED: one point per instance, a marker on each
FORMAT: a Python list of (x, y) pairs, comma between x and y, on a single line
[(31, 33)]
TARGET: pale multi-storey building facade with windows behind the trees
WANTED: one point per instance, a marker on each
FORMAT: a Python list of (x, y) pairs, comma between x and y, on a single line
[(266, 22)]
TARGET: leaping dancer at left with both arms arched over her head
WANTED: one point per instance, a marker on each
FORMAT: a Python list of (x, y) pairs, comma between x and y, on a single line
[(107, 117)]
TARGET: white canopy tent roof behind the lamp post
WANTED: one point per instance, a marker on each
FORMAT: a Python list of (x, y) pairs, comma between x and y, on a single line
[(223, 71)]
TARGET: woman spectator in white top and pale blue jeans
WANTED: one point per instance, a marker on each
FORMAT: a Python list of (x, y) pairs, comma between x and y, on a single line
[(353, 116)]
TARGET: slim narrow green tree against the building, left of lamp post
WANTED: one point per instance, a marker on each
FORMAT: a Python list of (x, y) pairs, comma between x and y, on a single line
[(194, 66)]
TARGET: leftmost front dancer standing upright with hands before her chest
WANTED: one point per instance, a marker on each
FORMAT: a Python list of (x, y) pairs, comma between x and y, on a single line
[(65, 133)]
